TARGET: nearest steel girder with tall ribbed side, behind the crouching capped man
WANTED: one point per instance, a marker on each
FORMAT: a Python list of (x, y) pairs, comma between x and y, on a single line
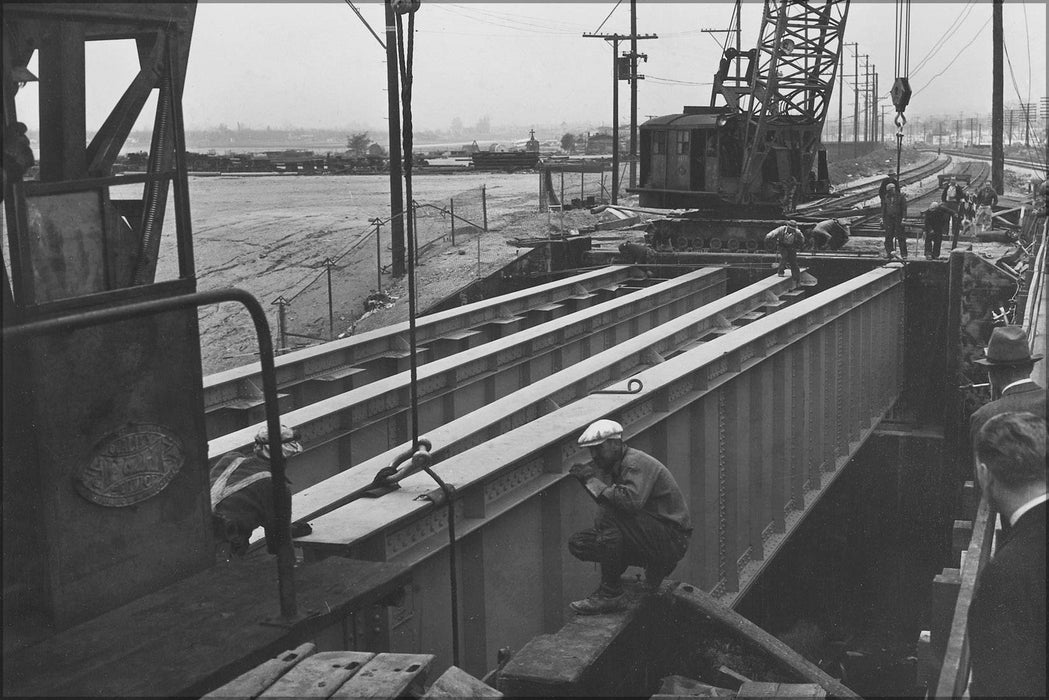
[(755, 427)]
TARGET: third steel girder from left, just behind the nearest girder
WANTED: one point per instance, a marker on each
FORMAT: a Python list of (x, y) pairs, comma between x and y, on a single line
[(560, 389)]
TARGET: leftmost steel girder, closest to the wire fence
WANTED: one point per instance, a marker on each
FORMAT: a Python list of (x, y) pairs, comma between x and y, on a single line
[(232, 398)]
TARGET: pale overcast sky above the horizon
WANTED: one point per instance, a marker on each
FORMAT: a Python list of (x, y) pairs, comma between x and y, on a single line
[(316, 66)]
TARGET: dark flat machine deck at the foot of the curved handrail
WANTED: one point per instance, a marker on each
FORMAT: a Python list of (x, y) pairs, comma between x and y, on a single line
[(207, 630)]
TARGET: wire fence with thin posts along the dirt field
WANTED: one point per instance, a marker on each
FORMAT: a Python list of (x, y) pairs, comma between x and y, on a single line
[(326, 305)]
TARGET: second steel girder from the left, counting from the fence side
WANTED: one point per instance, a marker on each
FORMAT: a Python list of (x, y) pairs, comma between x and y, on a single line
[(351, 428)]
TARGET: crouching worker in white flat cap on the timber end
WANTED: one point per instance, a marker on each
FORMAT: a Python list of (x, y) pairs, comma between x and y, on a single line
[(643, 518)]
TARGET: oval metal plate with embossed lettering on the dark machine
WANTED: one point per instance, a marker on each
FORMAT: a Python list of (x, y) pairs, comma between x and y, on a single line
[(131, 465)]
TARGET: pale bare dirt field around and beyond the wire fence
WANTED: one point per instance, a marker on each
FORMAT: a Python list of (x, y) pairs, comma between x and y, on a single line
[(271, 235)]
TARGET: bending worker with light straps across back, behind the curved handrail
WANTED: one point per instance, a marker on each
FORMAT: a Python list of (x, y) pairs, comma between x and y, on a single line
[(242, 492)]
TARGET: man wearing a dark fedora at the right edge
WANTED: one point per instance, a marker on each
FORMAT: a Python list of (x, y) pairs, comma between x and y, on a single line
[(1010, 364)]
